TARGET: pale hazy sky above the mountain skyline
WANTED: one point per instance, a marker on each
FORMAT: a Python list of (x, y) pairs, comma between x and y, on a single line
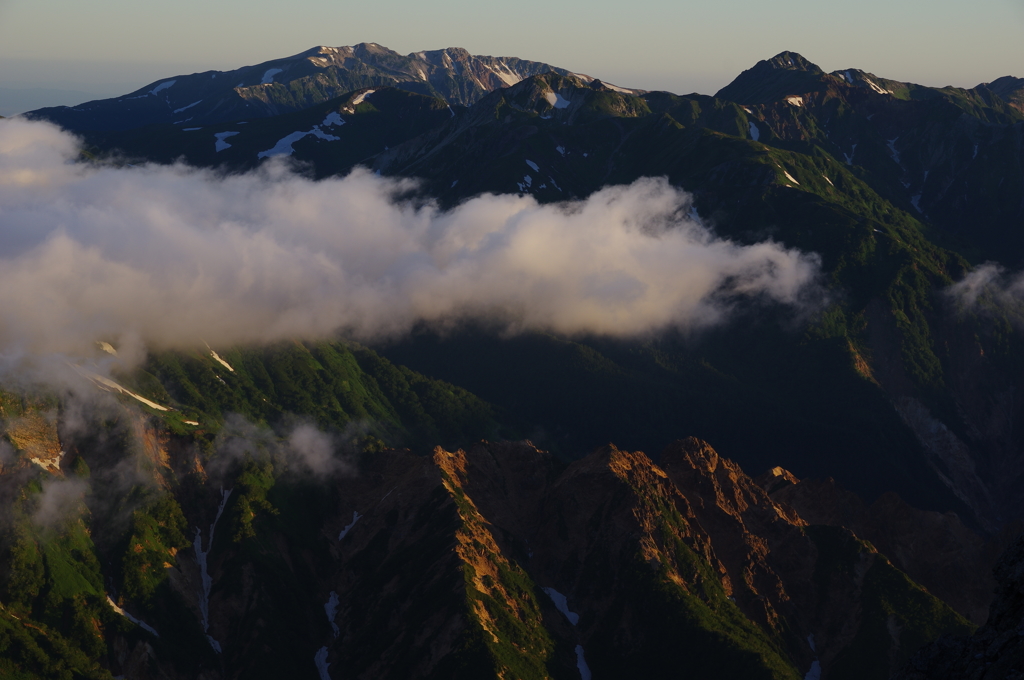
[(108, 48)]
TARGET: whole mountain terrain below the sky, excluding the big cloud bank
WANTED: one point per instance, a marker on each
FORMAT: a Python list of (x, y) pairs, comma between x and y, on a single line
[(822, 494)]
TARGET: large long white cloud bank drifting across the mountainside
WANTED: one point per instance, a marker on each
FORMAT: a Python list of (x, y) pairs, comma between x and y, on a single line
[(172, 256)]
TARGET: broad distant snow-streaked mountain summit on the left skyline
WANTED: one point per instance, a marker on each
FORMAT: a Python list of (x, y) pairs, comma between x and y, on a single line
[(281, 87)]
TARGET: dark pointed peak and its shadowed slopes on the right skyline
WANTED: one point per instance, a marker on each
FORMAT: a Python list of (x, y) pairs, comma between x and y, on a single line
[(951, 156)]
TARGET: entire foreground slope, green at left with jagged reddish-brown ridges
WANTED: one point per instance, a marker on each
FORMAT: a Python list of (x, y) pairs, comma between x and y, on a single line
[(229, 561)]
